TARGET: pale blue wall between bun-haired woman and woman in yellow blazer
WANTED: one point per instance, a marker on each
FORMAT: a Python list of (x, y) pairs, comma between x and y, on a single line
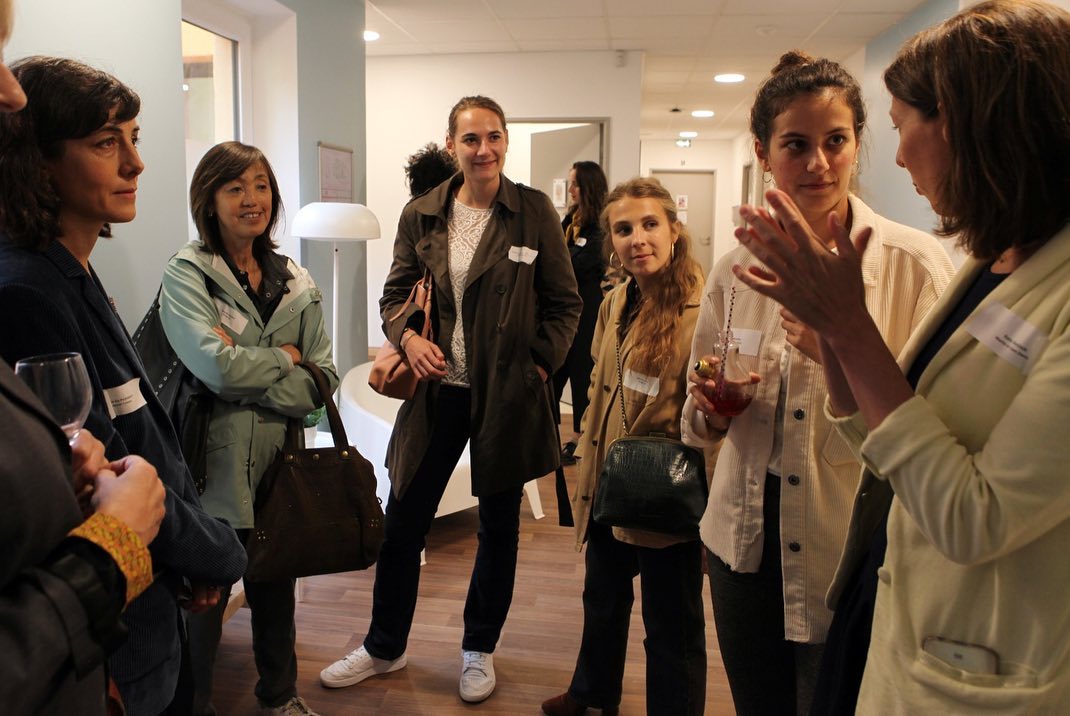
[(884, 186)]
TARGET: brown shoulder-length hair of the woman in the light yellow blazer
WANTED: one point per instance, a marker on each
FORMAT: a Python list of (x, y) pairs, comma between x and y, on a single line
[(999, 74)]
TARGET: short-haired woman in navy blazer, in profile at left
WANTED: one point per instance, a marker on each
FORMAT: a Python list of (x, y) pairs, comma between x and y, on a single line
[(69, 170)]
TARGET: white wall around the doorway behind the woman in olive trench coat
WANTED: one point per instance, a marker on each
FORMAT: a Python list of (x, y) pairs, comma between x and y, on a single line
[(409, 101)]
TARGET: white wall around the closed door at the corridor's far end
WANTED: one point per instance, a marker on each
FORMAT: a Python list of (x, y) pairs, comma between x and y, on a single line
[(704, 155)]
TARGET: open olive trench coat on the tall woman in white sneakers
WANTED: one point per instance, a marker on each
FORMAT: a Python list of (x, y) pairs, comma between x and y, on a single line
[(521, 310)]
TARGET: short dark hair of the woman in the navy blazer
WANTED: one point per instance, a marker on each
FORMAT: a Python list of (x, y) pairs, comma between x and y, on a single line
[(66, 100)]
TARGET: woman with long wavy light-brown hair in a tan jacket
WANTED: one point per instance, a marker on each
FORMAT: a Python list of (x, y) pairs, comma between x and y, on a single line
[(647, 324)]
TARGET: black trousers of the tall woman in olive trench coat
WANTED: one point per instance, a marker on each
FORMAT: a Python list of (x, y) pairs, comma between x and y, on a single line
[(408, 523)]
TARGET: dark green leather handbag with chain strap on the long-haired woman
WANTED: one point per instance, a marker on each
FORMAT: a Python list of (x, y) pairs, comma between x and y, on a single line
[(651, 483)]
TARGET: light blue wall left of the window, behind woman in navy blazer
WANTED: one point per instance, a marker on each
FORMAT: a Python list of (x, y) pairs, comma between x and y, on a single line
[(141, 44)]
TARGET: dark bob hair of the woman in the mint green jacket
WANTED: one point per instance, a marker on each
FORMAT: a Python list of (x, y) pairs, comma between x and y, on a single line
[(225, 163)]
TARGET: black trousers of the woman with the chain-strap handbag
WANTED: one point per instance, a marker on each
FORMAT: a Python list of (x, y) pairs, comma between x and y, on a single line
[(676, 644)]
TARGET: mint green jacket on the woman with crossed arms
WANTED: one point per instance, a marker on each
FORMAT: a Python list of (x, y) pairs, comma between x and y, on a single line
[(256, 384)]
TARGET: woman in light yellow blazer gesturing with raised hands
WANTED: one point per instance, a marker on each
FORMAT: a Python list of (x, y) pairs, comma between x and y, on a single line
[(970, 447)]
